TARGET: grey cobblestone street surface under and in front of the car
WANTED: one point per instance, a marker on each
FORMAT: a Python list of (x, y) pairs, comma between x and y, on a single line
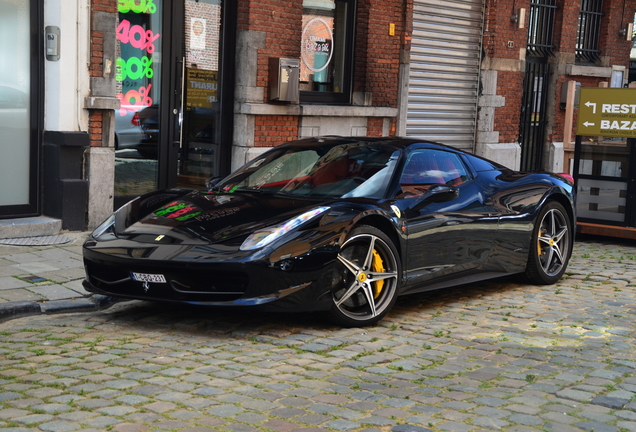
[(491, 356)]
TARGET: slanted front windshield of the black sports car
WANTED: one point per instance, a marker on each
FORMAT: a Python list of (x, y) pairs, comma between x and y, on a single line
[(332, 171)]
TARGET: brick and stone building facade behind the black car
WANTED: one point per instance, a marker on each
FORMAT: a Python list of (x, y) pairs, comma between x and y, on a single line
[(148, 94)]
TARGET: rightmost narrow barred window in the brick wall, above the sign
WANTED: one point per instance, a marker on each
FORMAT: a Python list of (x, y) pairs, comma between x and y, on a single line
[(587, 36)]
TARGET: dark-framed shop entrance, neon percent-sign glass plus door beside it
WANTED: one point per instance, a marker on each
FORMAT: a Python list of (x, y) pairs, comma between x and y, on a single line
[(176, 96)]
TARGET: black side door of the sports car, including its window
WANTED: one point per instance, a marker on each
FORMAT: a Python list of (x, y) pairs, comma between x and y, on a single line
[(449, 226)]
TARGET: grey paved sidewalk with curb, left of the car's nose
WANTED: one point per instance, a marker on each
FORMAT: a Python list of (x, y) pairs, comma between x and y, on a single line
[(45, 278)]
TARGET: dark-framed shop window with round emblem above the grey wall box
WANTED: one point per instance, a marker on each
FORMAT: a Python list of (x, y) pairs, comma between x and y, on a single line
[(327, 51)]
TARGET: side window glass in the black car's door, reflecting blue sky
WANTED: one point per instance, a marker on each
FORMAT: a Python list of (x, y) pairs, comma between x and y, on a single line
[(427, 167)]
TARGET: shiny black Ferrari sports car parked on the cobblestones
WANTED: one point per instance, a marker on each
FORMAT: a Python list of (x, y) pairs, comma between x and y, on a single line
[(340, 225)]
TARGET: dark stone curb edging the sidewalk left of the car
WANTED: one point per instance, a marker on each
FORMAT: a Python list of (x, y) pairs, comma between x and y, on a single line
[(20, 309)]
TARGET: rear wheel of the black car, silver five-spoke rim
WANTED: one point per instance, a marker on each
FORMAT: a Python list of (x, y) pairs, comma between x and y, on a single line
[(551, 245)]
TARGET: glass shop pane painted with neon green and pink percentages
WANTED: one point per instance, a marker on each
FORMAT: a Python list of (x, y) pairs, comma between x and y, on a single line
[(138, 75)]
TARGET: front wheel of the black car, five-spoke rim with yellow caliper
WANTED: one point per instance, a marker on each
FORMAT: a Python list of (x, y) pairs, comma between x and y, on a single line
[(366, 278)]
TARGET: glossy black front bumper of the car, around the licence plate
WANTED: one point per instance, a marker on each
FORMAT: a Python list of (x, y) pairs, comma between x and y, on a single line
[(298, 284)]
